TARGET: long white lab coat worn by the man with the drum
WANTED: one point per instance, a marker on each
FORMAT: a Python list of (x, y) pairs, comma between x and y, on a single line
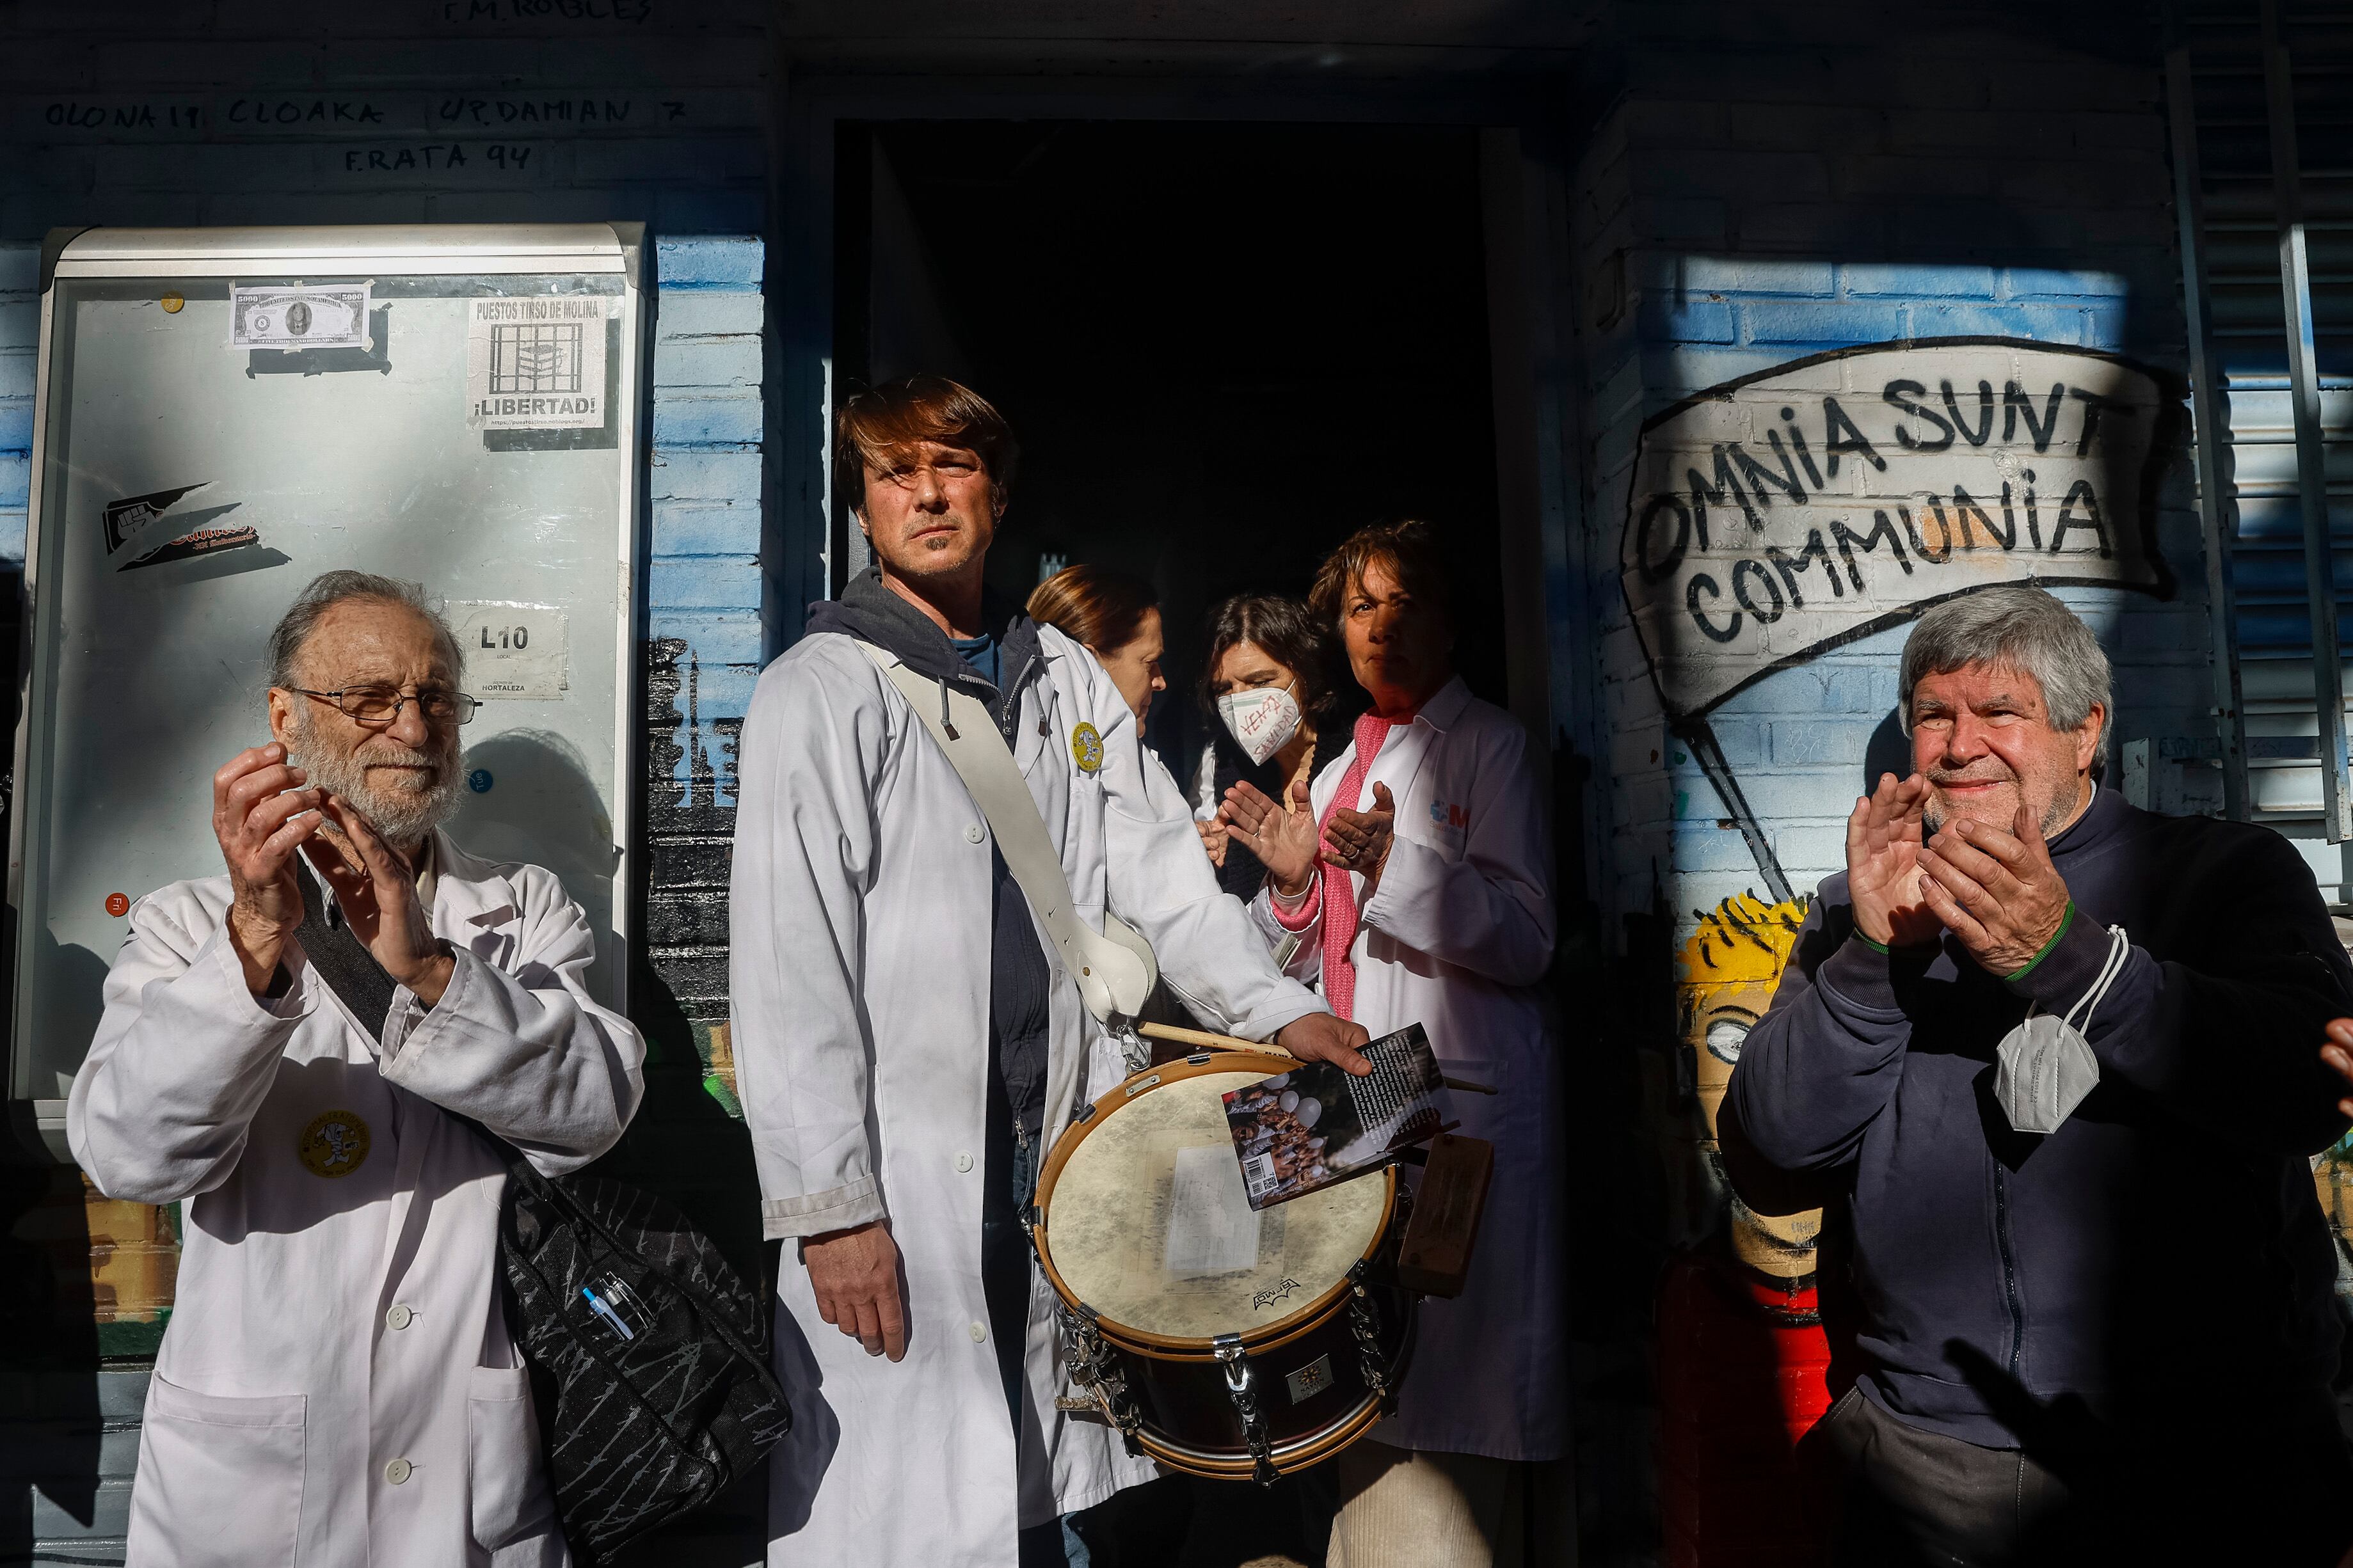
[(860, 972)]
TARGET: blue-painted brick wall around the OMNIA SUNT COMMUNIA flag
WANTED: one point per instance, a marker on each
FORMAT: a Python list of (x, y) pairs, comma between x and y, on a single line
[(1721, 239)]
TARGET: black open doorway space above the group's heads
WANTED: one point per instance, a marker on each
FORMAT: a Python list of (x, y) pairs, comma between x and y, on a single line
[(1225, 347)]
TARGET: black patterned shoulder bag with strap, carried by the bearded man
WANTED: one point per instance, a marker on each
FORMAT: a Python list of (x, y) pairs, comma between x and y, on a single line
[(646, 1348)]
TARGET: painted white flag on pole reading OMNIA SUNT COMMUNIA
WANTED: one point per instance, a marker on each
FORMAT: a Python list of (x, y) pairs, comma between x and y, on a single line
[(1825, 500)]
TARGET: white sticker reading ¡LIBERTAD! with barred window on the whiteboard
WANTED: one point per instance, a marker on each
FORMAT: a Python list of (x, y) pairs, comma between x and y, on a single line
[(538, 363)]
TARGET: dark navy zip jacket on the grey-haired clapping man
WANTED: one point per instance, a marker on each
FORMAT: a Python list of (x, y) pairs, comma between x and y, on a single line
[(2157, 1261)]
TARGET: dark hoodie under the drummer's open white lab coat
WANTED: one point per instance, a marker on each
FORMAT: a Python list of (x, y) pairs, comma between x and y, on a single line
[(1018, 970)]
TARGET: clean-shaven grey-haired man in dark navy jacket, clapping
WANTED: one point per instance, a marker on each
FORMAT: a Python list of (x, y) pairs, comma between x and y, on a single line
[(2048, 1064)]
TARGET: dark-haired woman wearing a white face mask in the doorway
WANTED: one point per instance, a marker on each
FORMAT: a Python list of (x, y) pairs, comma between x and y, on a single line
[(1265, 690)]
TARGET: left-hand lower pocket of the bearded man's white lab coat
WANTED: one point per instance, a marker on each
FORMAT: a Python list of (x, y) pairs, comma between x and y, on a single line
[(220, 1480)]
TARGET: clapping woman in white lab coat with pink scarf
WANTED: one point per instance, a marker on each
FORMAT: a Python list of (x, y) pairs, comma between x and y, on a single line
[(1441, 916)]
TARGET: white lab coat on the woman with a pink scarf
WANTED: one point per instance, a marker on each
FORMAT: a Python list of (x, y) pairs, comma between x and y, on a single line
[(1458, 939)]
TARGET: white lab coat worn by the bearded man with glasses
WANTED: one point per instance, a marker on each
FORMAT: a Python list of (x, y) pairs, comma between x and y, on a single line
[(284, 1391)]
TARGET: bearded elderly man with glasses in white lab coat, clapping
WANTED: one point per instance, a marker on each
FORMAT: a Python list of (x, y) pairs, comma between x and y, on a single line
[(338, 1383)]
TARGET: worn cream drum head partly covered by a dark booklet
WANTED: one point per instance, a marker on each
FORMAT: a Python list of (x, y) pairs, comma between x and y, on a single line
[(1149, 1224)]
